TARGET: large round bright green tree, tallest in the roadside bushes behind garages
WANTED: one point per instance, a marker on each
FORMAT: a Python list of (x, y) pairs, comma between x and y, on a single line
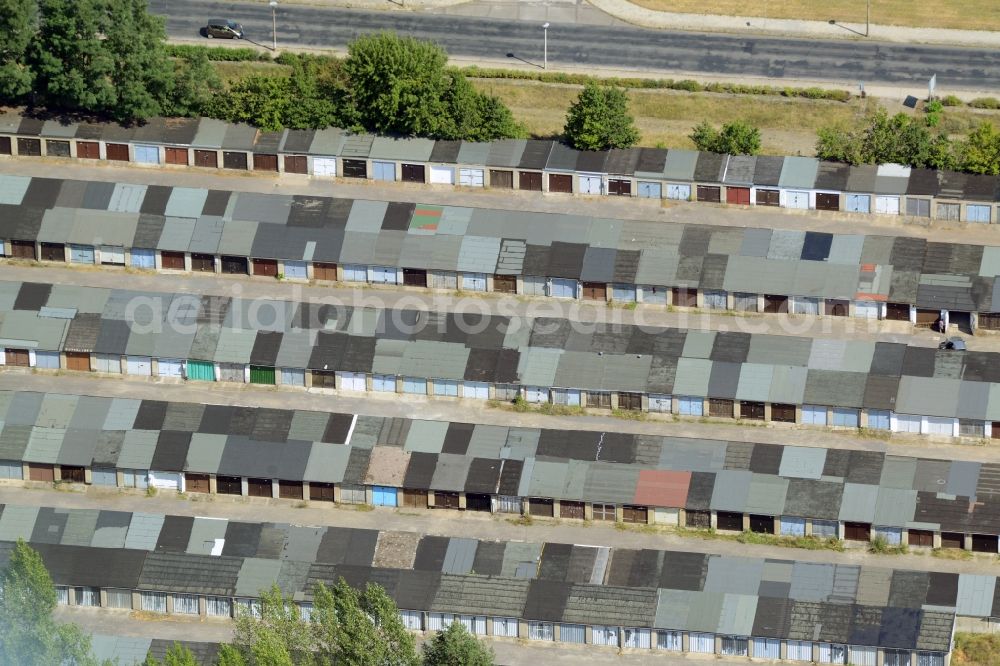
[(397, 84)]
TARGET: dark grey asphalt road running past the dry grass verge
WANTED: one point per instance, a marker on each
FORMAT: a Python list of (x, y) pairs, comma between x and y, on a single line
[(611, 47)]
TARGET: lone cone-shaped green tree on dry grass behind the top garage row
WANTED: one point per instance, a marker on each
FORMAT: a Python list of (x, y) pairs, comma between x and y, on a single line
[(599, 119)]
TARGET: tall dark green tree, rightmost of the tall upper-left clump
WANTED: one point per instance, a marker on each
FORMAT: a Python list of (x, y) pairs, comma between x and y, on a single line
[(141, 73)]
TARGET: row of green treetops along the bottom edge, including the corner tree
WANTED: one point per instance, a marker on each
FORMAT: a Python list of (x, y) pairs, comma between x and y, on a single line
[(345, 627)]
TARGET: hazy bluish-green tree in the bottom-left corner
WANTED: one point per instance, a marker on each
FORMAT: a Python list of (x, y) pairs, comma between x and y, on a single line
[(30, 636)]
